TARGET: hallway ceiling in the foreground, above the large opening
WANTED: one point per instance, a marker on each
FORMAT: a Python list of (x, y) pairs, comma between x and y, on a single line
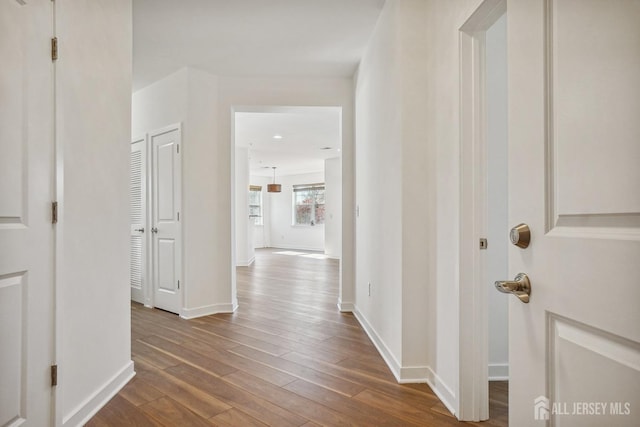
[(324, 38)]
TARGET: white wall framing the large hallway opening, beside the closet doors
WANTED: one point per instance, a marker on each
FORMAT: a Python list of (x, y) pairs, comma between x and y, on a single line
[(205, 104)]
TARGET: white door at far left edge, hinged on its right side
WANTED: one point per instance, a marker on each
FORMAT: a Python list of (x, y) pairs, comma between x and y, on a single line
[(26, 230)]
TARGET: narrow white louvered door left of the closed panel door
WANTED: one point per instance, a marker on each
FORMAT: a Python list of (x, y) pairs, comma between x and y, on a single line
[(138, 196)]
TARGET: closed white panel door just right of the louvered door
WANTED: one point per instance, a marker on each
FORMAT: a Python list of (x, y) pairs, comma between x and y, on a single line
[(166, 230)]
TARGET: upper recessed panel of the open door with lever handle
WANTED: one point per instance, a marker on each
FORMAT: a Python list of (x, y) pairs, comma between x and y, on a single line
[(578, 136)]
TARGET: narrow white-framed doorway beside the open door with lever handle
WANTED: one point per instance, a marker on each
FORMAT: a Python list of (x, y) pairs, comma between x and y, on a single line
[(484, 219)]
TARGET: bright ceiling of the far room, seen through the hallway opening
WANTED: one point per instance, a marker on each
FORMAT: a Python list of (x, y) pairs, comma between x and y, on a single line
[(309, 136)]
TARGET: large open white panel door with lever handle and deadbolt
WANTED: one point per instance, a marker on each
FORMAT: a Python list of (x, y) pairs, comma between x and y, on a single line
[(574, 149)]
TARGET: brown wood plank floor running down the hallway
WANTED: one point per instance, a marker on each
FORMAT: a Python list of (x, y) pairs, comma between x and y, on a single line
[(287, 357)]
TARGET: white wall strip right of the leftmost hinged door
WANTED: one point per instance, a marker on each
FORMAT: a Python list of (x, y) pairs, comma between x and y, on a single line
[(93, 103)]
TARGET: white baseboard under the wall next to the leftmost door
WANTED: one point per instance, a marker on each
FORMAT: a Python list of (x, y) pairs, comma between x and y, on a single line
[(87, 409)]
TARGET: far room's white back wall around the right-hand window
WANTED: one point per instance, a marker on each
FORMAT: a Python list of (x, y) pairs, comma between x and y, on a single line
[(283, 233)]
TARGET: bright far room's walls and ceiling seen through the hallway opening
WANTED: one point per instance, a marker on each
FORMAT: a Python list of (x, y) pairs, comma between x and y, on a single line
[(299, 149)]
